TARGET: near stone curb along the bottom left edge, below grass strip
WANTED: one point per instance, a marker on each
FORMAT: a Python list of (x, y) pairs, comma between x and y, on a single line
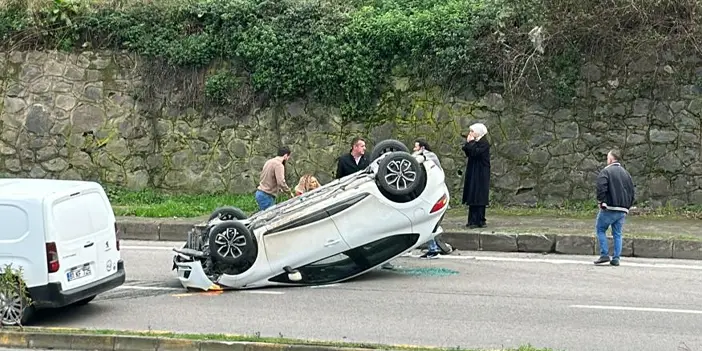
[(40, 338)]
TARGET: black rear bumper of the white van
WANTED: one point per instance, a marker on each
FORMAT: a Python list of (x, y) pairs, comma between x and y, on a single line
[(52, 296)]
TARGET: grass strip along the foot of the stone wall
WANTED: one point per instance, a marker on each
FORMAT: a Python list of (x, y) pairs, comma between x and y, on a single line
[(160, 204)]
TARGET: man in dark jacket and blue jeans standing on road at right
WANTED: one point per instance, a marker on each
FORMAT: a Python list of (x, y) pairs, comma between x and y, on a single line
[(615, 195)]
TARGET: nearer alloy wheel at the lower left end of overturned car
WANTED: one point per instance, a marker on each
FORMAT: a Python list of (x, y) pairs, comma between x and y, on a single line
[(232, 243)]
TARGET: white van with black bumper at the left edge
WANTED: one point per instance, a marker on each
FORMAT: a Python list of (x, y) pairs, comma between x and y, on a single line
[(64, 237)]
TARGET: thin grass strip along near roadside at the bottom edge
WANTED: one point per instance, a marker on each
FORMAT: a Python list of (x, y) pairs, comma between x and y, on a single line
[(247, 338)]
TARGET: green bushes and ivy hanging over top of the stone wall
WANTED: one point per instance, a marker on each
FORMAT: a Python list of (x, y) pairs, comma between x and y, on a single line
[(343, 53)]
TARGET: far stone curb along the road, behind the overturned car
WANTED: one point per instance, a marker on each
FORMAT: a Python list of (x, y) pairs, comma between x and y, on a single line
[(153, 229)]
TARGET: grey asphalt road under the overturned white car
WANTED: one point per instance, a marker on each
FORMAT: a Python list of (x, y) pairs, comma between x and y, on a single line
[(475, 299)]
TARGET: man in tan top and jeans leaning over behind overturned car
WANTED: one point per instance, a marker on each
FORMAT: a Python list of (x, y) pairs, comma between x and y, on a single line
[(273, 179)]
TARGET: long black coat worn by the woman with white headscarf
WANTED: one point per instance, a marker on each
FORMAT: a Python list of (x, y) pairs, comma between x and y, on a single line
[(476, 184)]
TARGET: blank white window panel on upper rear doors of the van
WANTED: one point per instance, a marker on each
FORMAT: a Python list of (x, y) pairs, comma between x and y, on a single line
[(80, 215)]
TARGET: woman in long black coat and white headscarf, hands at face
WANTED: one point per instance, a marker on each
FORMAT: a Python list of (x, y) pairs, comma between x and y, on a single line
[(476, 184)]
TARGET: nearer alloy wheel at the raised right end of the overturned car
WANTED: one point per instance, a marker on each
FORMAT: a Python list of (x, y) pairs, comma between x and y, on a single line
[(399, 174)]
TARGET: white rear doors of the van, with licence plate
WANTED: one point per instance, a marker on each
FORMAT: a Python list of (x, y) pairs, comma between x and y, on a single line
[(82, 226)]
